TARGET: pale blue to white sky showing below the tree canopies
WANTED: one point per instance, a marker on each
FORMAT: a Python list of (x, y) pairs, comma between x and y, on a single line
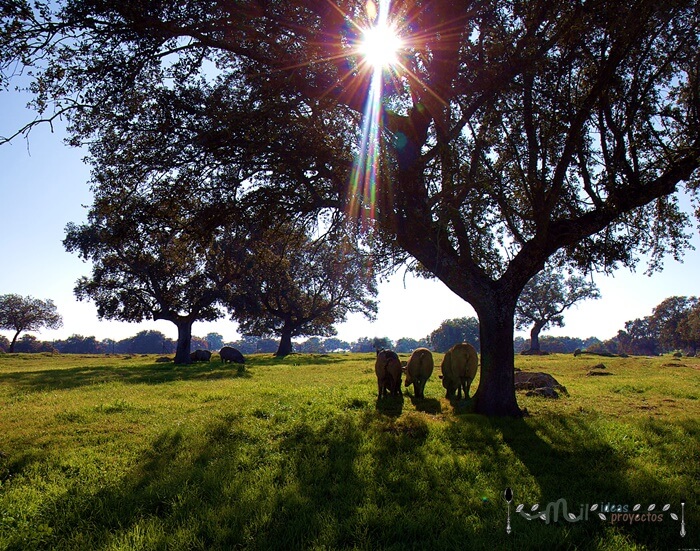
[(43, 186)]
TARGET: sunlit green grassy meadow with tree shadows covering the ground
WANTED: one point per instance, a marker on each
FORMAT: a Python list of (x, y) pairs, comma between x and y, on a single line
[(121, 452)]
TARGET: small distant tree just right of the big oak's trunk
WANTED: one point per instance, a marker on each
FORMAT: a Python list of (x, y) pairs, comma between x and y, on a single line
[(545, 298)]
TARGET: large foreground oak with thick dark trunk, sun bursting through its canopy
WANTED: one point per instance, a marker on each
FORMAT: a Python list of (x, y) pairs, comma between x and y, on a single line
[(511, 131)]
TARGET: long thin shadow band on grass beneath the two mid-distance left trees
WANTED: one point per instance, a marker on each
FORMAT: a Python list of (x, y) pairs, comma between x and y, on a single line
[(67, 378)]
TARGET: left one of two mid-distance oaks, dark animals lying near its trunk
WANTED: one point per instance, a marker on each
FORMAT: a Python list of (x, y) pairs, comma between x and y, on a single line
[(156, 256)]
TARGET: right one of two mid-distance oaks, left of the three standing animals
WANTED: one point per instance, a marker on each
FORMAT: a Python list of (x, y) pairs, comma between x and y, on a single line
[(299, 286)]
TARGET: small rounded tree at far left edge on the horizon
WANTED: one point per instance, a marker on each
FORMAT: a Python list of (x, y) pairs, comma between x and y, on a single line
[(18, 313)]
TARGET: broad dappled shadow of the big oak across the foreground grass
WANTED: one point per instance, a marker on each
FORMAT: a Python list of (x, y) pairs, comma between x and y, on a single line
[(358, 479)]
